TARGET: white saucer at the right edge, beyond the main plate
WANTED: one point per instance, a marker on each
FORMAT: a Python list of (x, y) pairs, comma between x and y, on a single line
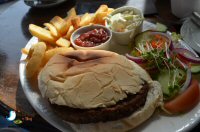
[(191, 34)]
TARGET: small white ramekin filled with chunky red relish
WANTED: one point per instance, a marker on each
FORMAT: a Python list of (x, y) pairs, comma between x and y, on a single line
[(91, 37)]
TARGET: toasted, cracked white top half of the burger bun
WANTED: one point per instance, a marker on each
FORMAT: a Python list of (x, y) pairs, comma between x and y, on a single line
[(90, 79)]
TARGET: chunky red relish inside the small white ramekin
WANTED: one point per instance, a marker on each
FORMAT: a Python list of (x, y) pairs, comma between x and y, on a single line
[(92, 38)]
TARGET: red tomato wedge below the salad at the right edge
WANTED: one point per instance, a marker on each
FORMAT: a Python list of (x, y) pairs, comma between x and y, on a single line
[(185, 101)]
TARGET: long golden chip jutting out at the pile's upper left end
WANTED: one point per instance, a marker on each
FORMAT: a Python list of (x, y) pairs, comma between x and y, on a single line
[(41, 33)]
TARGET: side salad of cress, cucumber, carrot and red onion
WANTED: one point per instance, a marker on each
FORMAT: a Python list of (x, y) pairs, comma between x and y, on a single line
[(156, 54)]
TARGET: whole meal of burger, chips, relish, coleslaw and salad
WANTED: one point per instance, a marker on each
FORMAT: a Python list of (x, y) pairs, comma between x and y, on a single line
[(99, 90)]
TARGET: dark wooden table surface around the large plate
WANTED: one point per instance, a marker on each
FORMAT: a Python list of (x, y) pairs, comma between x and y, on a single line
[(14, 35)]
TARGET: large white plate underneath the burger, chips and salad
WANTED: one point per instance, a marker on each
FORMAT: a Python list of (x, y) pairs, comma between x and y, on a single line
[(156, 123)]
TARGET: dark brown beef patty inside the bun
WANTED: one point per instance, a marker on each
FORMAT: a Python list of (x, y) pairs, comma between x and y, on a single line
[(123, 108)]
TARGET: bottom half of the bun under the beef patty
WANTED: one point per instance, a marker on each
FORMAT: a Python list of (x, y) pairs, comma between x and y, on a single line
[(154, 100)]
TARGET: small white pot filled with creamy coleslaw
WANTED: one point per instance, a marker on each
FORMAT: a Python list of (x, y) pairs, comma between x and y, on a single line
[(125, 23)]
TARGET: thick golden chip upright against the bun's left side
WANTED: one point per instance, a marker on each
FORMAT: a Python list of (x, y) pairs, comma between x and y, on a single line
[(35, 59)]
